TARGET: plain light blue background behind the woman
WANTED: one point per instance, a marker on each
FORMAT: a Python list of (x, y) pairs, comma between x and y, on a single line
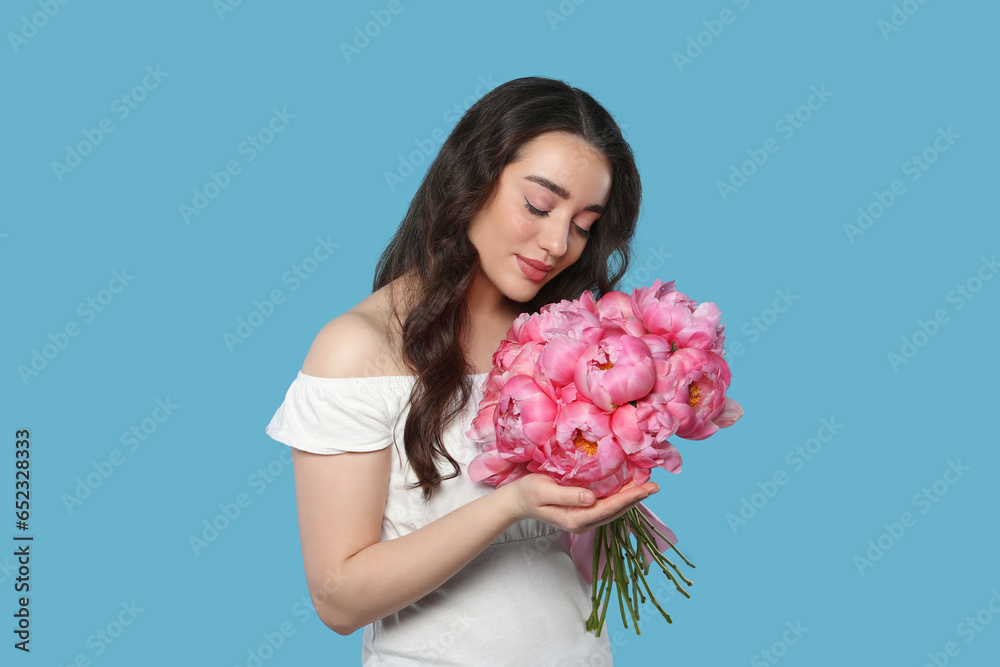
[(824, 357)]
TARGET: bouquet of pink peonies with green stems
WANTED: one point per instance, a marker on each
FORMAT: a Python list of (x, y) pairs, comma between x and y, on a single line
[(588, 392)]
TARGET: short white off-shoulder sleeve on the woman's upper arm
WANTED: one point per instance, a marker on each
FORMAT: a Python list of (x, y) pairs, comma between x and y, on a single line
[(333, 416)]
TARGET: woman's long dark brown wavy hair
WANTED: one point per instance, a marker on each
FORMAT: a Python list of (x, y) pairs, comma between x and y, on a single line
[(432, 244)]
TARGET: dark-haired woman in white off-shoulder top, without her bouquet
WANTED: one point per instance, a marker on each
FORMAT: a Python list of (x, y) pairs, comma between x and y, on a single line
[(533, 198)]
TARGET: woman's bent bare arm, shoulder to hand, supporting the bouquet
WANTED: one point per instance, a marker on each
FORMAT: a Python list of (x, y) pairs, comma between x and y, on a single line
[(354, 578)]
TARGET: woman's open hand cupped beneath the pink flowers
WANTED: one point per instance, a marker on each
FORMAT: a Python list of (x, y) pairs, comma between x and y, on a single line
[(571, 508)]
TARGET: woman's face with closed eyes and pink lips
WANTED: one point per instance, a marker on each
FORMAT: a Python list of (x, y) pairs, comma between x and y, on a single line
[(537, 221)]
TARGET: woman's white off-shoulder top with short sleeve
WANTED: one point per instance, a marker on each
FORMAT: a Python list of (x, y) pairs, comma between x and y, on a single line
[(520, 602)]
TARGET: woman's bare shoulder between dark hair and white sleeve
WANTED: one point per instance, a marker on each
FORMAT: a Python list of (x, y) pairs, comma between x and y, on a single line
[(358, 343)]
